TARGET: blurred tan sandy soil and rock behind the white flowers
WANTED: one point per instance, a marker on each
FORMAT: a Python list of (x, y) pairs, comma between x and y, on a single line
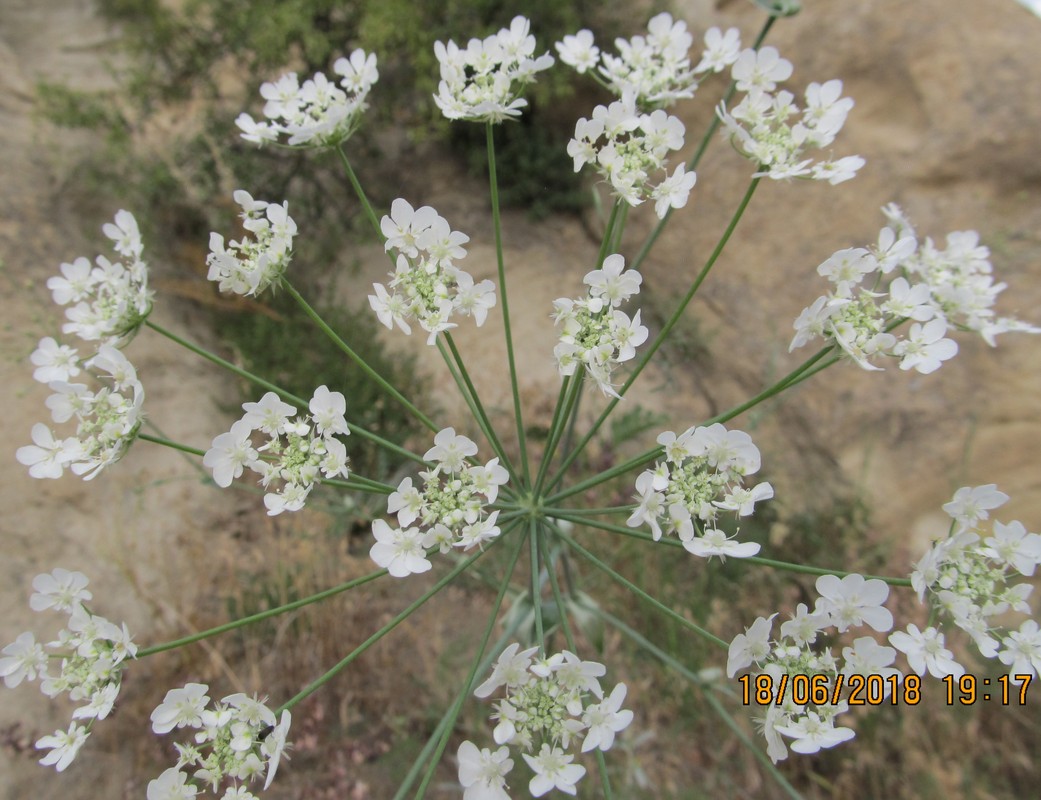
[(949, 110)]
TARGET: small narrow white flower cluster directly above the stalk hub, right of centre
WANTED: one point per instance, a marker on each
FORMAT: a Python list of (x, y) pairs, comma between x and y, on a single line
[(594, 333)]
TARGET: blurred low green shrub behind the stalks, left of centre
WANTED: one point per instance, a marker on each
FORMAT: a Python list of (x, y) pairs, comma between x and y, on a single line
[(287, 349)]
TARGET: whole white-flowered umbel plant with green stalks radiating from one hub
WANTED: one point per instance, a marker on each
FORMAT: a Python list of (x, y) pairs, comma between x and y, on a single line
[(553, 718)]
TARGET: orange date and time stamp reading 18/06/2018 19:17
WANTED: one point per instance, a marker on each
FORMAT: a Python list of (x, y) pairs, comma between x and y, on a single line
[(879, 690)]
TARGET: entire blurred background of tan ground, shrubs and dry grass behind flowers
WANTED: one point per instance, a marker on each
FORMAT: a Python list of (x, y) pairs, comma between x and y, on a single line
[(131, 105)]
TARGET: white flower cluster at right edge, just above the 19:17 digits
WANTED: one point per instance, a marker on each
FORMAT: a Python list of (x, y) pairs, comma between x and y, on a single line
[(970, 580)]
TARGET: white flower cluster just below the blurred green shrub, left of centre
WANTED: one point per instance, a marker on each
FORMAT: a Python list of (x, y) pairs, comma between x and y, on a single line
[(297, 451)]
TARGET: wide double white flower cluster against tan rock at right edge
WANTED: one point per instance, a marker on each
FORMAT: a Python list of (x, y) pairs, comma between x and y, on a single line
[(937, 290)]
